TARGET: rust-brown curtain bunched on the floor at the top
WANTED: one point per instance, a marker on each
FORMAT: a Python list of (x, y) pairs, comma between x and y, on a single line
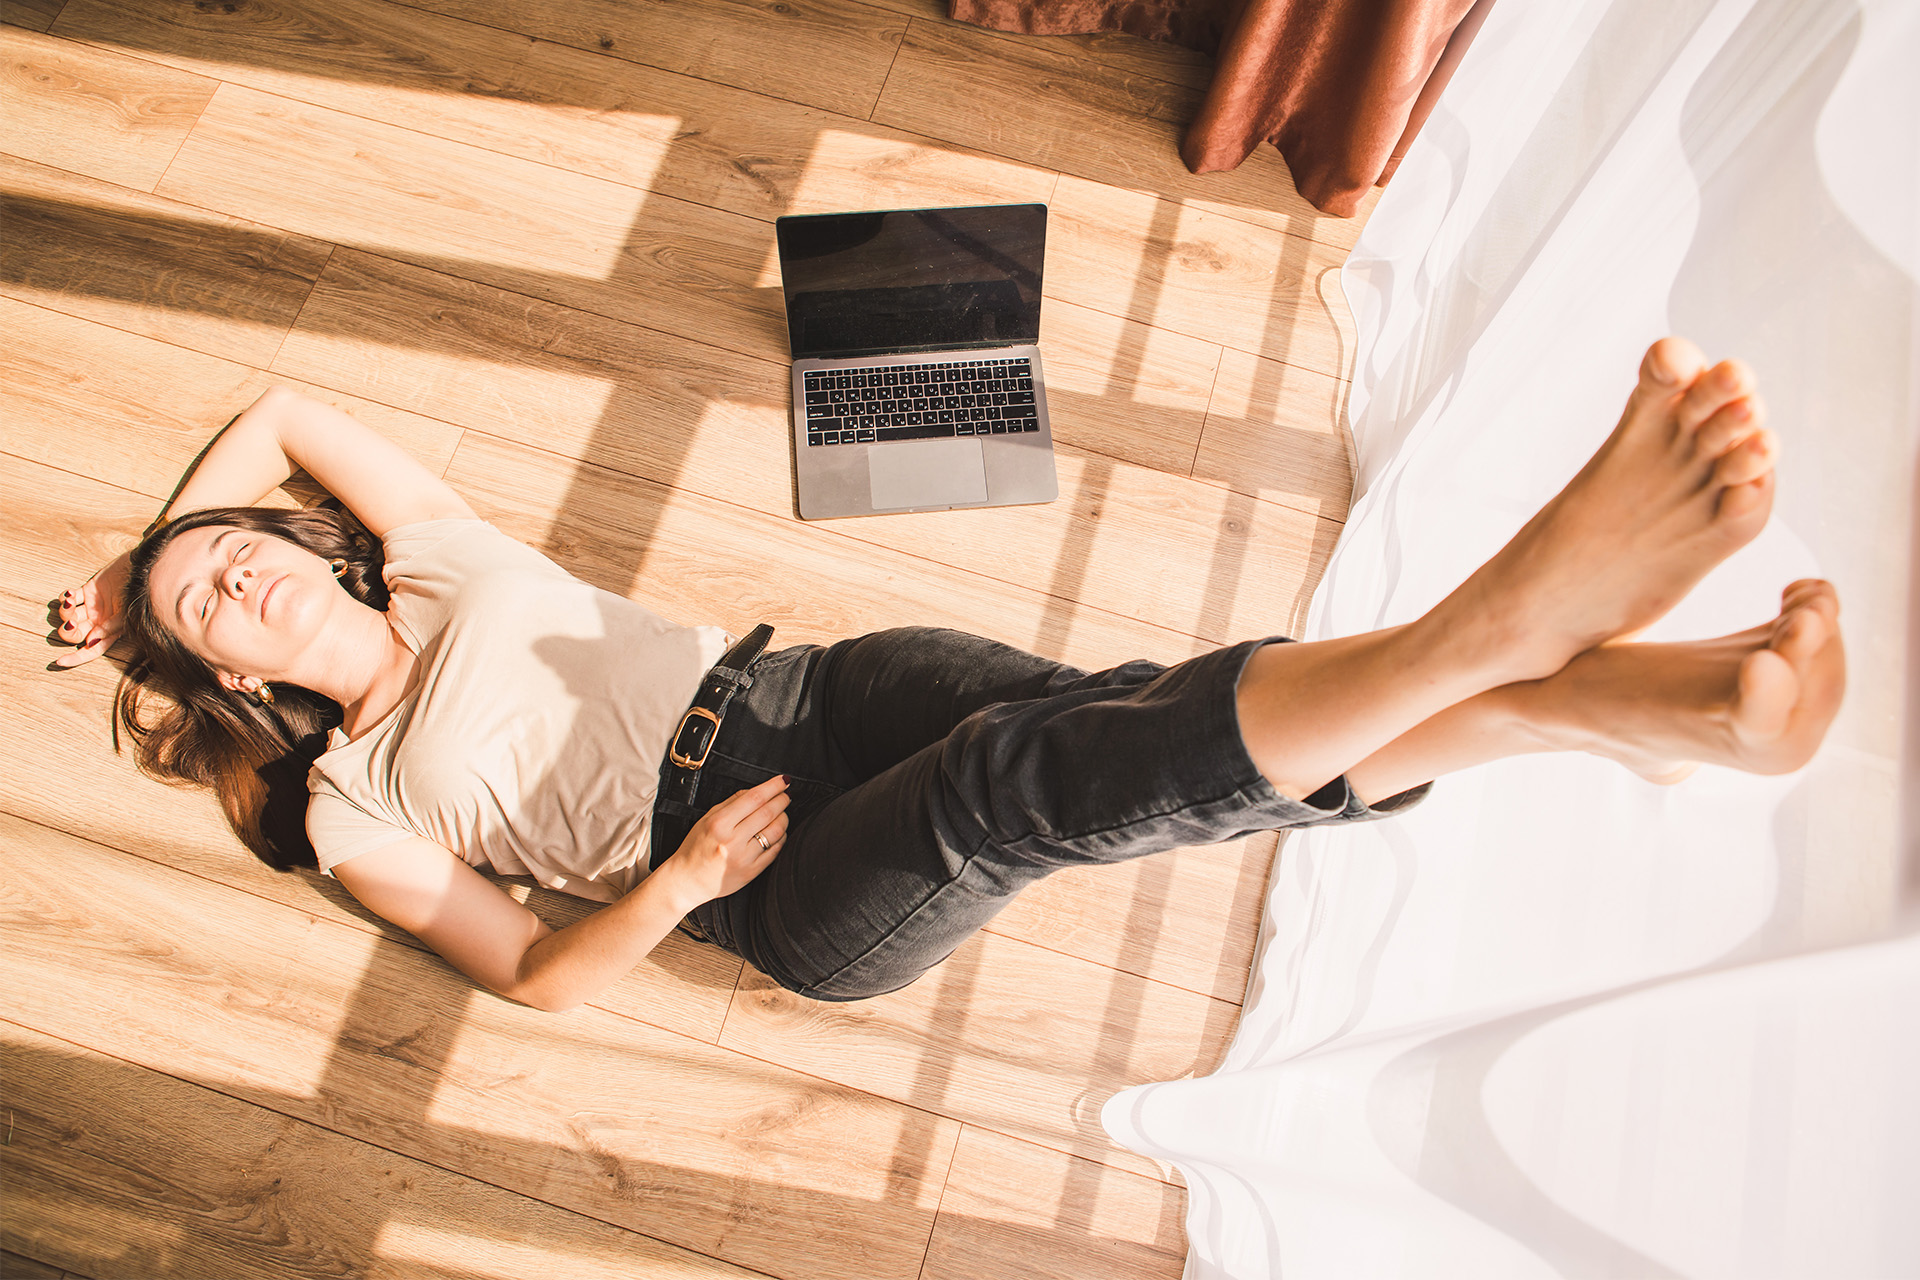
[(1341, 87)]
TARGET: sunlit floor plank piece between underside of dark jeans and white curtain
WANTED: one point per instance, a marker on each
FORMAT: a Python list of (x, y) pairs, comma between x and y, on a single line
[(1186, 918)]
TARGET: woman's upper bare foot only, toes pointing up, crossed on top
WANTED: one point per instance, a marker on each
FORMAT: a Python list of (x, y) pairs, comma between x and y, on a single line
[(1681, 485)]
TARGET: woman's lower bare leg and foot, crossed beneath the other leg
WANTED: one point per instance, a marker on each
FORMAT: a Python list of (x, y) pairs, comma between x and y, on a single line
[(1758, 701)]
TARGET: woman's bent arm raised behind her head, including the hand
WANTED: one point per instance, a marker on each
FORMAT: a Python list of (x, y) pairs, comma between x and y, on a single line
[(283, 431)]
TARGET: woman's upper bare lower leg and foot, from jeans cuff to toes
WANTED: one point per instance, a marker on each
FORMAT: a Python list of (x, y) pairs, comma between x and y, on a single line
[(1683, 481)]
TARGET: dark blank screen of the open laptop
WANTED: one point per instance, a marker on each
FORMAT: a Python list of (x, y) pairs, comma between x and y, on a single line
[(913, 279)]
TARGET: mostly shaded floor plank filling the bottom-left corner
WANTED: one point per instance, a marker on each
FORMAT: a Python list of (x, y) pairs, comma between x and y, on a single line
[(124, 1172)]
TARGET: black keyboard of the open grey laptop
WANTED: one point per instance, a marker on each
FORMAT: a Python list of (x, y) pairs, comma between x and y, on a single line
[(921, 402)]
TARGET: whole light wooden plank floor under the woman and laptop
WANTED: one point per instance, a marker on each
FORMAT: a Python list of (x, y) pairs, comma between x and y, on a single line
[(533, 243)]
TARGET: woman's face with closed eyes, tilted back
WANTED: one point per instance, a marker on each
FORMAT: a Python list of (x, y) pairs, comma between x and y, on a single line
[(251, 605)]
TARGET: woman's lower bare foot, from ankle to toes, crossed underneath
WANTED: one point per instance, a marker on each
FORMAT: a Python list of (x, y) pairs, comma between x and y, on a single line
[(1756, 701)]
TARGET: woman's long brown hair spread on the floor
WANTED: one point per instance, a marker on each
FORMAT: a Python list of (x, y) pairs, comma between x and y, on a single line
[(187, 728)]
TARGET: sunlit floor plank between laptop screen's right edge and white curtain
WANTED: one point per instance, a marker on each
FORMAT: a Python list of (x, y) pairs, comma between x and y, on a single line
[(1197, 273)]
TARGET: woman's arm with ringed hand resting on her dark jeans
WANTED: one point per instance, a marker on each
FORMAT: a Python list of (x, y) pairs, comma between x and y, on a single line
[(504, 947)]
